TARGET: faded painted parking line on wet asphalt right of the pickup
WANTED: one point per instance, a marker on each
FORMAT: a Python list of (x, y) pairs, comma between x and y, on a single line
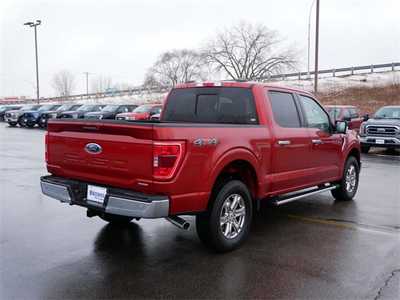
[(348, 224)]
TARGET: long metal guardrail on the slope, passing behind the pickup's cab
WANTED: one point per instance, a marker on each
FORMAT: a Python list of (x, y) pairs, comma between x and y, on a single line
[(141, 90)]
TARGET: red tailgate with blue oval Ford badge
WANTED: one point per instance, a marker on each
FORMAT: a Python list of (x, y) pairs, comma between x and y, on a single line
[(107, 153)]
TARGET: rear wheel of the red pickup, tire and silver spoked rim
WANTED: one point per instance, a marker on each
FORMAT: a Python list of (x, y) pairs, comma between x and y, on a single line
[(236, 229)]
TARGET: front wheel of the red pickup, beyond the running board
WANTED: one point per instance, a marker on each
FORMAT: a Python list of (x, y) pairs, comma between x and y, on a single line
[(348, 185)]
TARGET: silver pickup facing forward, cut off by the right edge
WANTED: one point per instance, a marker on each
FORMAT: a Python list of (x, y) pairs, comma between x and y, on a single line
[(383, 130)]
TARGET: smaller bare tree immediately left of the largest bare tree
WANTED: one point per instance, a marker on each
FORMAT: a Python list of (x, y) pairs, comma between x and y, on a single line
[(176, 66)]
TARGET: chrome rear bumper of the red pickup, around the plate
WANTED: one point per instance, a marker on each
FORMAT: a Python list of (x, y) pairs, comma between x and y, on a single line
[(117, 201)]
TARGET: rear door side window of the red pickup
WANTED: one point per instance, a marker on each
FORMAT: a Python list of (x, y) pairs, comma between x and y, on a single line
[(284, 109)]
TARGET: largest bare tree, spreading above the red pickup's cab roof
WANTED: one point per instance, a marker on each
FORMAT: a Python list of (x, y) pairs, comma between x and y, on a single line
[(248, 51)]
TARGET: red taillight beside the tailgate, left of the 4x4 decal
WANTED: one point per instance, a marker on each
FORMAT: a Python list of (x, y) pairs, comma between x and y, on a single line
[(167, 156)]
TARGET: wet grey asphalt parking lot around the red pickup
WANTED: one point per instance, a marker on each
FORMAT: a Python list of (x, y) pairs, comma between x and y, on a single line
[(315, 248)]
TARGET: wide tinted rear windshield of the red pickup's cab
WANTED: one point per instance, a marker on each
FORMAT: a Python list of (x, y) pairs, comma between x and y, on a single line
[(228, 105)]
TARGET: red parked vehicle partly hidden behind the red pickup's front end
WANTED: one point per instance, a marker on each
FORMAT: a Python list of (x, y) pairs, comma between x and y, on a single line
[(348, 113)]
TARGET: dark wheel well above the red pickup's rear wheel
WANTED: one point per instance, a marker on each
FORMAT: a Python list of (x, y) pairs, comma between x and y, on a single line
[(240, 170)]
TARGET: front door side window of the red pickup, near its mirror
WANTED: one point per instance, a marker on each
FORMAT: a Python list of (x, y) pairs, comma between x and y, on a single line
[(314, 114)]
